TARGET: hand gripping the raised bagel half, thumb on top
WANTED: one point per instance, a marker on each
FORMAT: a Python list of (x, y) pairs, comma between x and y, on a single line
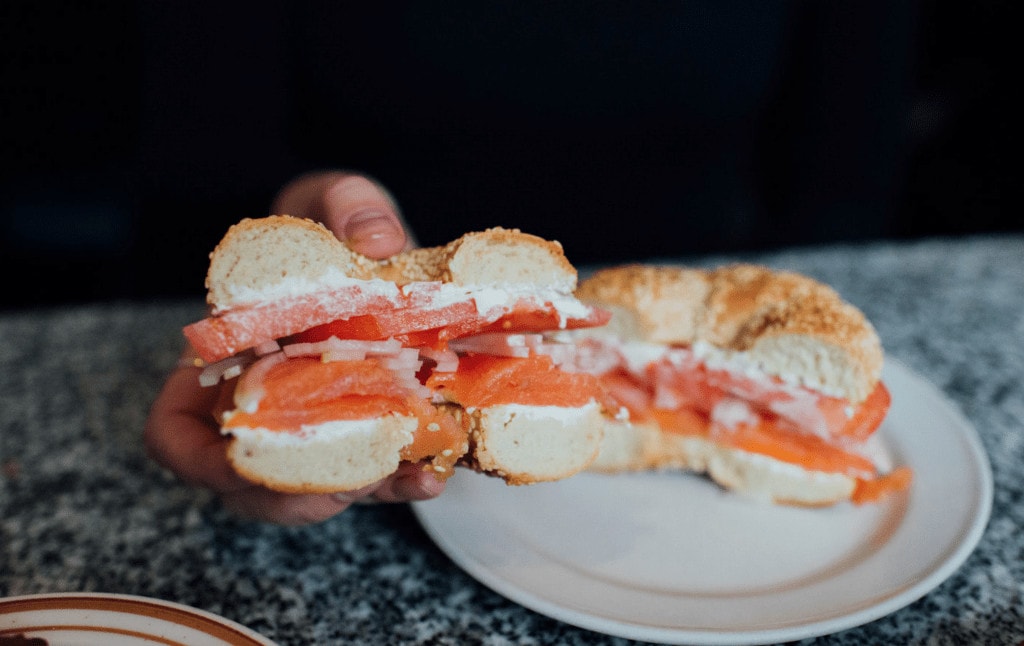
[(182, 433)]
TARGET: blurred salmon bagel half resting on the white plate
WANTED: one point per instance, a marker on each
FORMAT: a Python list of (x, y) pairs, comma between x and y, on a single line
[(765, 381)]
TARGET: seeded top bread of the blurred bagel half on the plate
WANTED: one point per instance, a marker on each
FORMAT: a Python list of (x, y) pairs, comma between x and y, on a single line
[(787, 324)]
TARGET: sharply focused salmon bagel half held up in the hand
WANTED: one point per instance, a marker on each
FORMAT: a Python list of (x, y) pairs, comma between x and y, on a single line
[(344, 367)]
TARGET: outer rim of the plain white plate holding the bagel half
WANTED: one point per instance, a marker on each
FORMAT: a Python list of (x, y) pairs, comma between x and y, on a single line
[(948, 561)]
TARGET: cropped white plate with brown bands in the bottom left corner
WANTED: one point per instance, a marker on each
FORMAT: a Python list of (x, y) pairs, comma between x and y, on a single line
[(102, 620)]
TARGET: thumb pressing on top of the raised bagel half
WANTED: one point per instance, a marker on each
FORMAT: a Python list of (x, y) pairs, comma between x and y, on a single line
[(359, 211)]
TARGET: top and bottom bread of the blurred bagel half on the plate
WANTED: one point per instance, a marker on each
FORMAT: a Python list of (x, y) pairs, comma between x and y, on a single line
[(781, 325)]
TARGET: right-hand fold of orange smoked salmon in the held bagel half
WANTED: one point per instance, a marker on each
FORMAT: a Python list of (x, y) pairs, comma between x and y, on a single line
[(484, 380)]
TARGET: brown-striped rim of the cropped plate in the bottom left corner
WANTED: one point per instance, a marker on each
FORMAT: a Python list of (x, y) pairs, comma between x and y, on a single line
[(123, 604)]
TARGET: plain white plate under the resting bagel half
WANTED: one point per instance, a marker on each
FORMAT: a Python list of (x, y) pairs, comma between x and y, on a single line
[(669, 557)]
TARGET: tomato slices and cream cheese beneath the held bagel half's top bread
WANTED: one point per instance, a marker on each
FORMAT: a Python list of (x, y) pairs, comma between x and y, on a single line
[(418, 314)]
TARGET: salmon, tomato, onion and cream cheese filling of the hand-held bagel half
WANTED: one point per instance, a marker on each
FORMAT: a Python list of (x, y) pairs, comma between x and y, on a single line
[(402, 352)]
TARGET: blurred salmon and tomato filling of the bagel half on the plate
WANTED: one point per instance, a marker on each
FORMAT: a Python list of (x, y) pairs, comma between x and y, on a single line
[(690, 392)]
